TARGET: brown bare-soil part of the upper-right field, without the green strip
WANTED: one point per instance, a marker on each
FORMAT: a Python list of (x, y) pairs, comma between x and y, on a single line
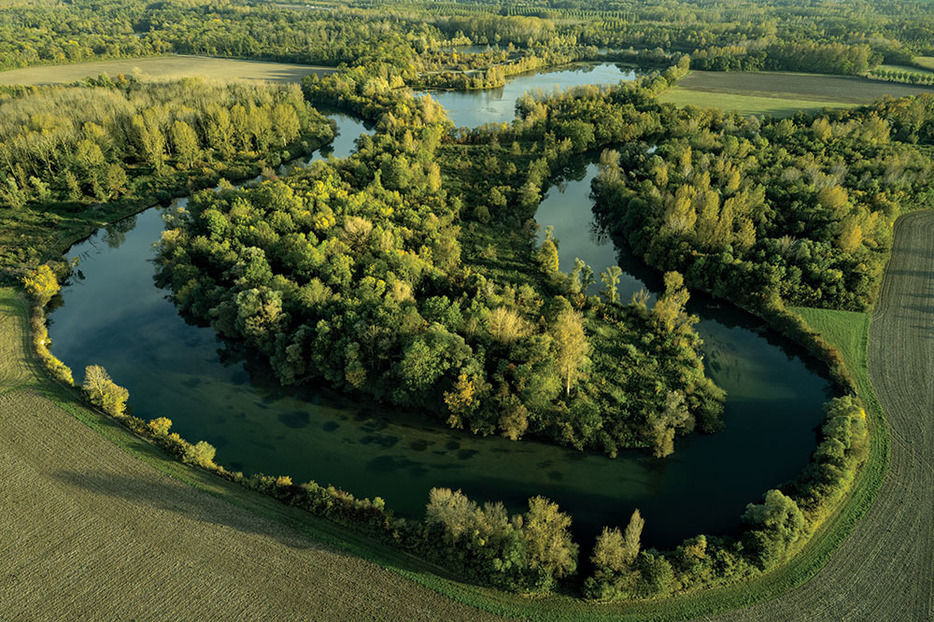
[(797, 86)]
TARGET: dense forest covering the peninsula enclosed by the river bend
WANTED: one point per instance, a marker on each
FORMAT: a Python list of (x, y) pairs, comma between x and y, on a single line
[(359, 272)]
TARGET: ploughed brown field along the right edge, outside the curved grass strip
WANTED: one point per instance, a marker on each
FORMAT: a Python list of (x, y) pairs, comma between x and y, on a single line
[(885, 569)]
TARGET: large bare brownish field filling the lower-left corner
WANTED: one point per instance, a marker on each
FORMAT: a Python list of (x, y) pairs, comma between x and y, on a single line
[(88, 532)]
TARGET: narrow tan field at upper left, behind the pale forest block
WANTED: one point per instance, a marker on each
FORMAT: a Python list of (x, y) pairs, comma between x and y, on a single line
[(164, 67)]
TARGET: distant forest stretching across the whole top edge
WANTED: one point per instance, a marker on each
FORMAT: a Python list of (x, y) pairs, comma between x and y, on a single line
[(845, 37)]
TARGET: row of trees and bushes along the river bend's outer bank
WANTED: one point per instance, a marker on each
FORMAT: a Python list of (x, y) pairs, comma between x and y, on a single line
[(534, 551)]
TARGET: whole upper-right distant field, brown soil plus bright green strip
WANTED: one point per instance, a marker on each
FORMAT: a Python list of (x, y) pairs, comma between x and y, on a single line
[(781, 94)]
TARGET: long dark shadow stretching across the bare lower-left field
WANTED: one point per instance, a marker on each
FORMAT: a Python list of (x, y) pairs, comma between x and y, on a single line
[(177, 499)]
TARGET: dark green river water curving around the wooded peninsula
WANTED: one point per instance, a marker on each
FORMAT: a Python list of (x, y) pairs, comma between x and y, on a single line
[(113, 315)]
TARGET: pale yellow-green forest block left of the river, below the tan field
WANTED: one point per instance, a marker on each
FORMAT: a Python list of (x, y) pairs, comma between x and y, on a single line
[(64, 150)]
